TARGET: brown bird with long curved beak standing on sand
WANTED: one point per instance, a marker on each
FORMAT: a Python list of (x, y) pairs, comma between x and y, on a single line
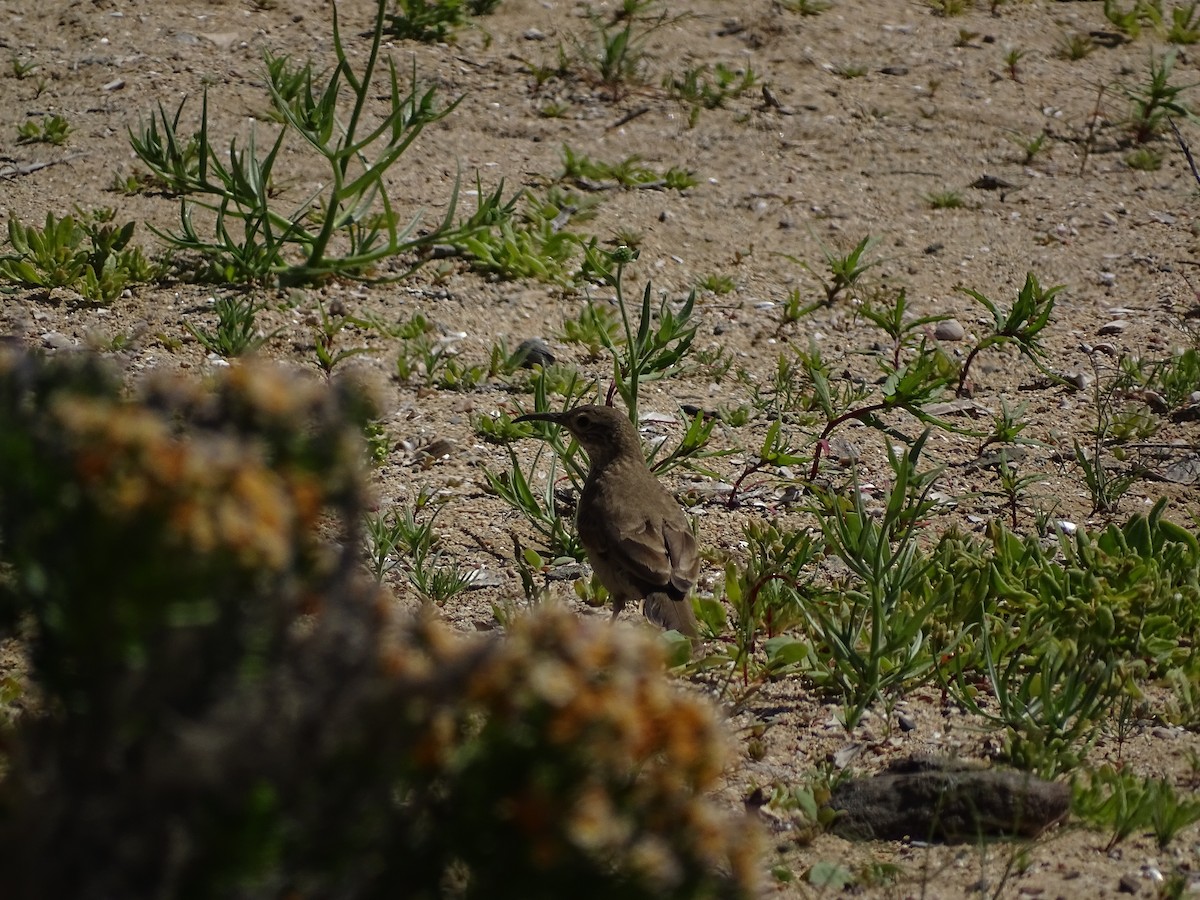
[(635, 533)]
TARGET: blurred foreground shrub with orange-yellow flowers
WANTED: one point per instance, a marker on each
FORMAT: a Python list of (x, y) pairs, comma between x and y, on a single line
[(218, 705)]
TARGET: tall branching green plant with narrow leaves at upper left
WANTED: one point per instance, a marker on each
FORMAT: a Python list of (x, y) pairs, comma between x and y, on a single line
[(346, 227)]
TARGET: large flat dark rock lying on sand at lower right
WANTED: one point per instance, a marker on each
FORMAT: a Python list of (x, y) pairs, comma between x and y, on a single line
[(932, 799)]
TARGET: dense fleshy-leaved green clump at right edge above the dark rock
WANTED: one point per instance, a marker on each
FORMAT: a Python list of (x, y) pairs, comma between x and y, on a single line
[(1059, 634)]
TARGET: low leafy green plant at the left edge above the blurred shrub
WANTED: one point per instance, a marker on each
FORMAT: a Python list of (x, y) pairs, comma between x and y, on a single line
[(58, 256)]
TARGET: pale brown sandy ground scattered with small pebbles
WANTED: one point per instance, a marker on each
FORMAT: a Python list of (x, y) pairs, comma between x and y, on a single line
[(880, 105)]
